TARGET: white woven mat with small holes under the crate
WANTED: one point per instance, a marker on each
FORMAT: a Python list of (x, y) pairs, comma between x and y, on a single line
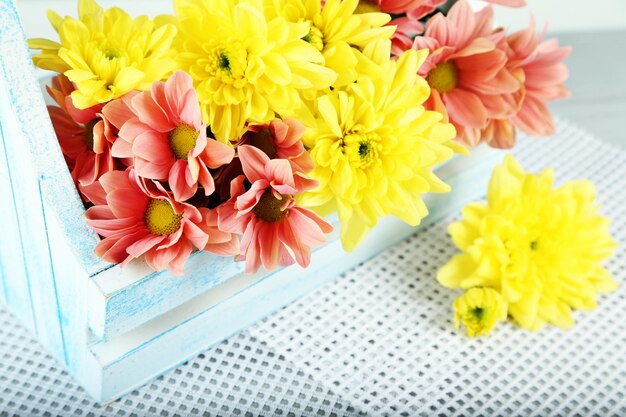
[(380, 341)]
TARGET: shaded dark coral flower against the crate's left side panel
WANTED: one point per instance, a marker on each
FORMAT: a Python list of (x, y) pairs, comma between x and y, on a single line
[(85, 136)]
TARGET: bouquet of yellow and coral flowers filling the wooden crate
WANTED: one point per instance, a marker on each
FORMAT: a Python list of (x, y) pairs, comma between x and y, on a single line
[(235, 126)]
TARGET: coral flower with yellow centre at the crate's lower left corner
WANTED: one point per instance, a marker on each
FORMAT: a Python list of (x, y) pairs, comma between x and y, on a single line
[(140, 218)]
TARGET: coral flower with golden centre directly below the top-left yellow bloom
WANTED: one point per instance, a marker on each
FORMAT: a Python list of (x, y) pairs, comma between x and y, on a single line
[(162, 131)]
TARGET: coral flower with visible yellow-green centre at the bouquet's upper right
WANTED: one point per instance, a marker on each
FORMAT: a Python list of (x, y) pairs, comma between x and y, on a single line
[(467, 70)]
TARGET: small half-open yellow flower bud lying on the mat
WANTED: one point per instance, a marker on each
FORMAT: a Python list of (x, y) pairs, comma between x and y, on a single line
[(479, 309)]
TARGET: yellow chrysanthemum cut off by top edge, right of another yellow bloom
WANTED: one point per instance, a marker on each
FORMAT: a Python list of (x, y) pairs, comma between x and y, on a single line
[(338, 32)]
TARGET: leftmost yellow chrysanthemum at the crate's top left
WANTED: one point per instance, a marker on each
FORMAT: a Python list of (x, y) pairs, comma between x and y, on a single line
[(106, 54)]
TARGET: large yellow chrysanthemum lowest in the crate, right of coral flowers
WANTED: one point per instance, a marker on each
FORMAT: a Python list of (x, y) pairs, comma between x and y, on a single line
[(374, 147)]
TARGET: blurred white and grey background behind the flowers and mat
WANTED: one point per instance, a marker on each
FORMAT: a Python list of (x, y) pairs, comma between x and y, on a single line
[(596, 30)]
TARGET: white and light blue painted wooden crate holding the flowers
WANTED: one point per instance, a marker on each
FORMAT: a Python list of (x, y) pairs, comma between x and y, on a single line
[(116, 329)]
